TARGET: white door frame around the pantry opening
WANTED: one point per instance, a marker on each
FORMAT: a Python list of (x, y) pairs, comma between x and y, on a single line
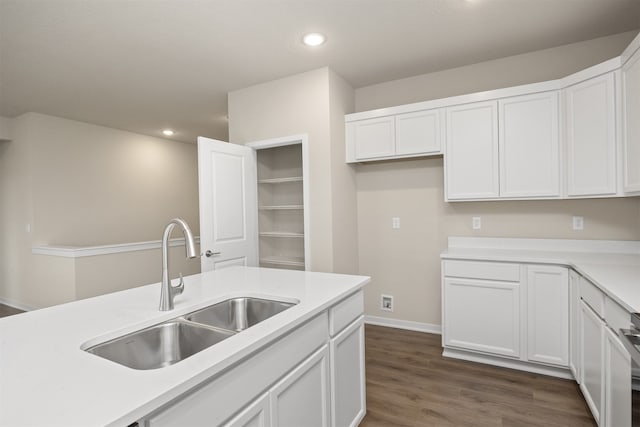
[(303, 140)]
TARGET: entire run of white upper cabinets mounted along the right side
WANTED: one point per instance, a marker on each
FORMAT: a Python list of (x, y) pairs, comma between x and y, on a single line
[(521, 142)]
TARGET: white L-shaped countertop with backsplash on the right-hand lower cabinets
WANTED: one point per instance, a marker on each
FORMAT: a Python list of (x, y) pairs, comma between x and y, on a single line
[(613, 266)]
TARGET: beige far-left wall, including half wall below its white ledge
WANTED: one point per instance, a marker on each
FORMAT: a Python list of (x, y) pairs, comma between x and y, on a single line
[(64, 182)]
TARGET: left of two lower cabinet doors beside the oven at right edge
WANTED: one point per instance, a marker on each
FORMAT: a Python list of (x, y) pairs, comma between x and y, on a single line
[(592, 337)]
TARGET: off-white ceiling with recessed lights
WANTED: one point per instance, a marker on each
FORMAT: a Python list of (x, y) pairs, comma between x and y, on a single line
[(145, 65)]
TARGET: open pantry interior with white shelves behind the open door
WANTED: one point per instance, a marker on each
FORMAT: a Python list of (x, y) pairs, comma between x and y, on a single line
[(281, 207)]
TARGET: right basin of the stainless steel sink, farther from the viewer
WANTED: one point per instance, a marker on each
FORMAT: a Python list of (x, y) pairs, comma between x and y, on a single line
[(238, 314)]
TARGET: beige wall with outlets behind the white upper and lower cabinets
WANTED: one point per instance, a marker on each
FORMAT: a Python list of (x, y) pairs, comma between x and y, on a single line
[(405, 263)]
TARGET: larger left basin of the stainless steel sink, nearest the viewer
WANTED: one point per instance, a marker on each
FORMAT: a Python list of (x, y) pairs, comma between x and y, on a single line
[(160, 345)]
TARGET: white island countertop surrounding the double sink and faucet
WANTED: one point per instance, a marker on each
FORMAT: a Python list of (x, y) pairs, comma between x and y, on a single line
[(46, 379)]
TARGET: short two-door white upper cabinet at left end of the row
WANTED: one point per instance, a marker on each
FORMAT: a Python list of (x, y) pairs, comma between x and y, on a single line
[(402, 135)]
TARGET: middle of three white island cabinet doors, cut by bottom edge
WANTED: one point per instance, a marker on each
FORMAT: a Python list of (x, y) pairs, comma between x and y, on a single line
[(302, 397)]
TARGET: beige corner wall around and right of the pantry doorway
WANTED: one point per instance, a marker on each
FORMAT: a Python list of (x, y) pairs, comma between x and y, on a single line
[(306, 103)]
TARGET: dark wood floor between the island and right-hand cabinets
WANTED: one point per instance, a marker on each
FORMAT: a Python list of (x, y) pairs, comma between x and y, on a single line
[(409, 383)]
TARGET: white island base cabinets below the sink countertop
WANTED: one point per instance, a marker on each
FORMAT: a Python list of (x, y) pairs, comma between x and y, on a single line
[(312, 377)]
